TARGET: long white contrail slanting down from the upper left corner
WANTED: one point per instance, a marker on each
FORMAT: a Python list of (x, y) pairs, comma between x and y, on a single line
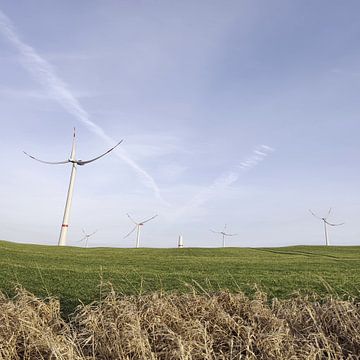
[(44, 73)]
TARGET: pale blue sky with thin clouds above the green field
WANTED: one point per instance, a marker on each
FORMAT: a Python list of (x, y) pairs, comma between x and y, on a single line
[(243, 113)]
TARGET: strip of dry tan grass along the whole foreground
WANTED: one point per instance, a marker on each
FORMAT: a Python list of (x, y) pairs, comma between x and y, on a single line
[(181, 326)]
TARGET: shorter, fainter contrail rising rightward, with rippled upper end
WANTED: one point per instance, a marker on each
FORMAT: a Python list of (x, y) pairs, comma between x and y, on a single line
[(226, 179)]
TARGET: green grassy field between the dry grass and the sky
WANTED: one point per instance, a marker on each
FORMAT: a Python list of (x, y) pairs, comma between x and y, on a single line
[(74, 274)]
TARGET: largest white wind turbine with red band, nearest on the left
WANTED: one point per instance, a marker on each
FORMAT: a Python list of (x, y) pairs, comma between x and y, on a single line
[(74, 162)]
